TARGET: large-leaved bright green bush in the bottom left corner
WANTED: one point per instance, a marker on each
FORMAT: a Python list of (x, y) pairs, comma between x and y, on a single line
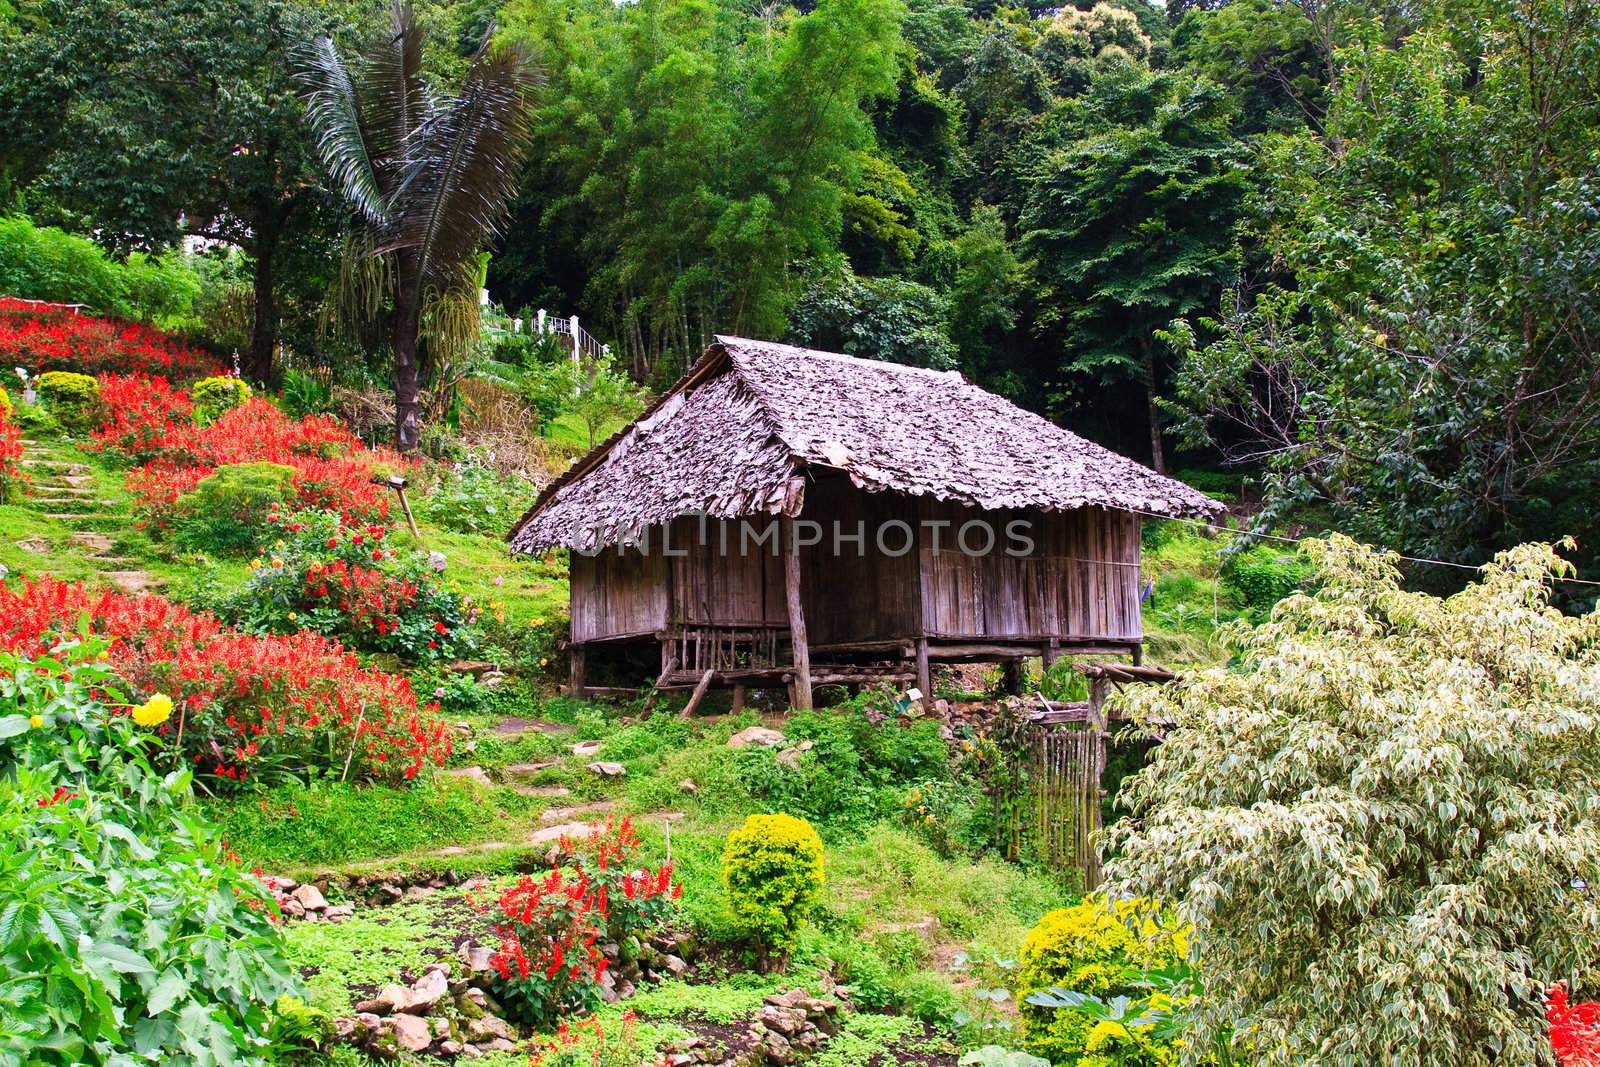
[(130, 932)]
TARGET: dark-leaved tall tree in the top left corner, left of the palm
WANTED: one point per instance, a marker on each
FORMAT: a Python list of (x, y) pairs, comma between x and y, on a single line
[(145, 121)]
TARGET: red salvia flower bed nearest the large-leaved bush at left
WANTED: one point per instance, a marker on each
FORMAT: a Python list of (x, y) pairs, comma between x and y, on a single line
[(247, 705)]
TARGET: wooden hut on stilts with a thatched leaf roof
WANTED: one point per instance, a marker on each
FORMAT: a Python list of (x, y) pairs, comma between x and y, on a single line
[(801, 518)]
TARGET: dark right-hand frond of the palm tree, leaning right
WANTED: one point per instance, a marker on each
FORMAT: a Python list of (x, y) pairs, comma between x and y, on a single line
[(462, 167)]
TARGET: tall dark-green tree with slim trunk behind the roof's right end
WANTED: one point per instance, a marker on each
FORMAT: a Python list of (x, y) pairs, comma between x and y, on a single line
[(1129, 223)]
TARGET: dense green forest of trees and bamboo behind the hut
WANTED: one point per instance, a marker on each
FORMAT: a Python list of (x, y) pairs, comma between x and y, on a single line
[(1343, 247)]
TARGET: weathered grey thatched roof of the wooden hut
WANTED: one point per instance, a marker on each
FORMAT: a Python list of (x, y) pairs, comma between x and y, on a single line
[(753, 415)]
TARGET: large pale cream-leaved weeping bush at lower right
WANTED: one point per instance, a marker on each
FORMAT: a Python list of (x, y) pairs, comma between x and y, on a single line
[(1377, 821)]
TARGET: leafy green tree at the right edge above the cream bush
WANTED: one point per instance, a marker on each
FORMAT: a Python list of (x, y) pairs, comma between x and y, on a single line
[(1446, 191)]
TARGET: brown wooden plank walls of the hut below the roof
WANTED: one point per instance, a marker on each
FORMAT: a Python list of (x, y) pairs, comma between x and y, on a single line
[(1081, 583)]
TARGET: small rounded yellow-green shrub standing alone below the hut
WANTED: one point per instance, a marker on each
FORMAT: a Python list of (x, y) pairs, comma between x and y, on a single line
[(774, 873)]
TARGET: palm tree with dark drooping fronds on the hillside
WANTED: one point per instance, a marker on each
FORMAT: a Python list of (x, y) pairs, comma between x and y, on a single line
[(428, 178)]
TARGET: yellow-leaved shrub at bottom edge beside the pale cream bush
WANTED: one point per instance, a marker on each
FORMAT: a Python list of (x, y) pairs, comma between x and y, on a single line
[(1095, 949)]
